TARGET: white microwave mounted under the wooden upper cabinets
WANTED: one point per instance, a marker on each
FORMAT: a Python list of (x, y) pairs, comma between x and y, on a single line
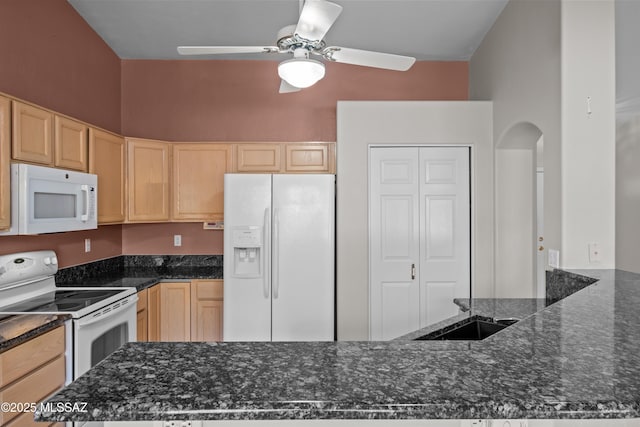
[(48, 200)]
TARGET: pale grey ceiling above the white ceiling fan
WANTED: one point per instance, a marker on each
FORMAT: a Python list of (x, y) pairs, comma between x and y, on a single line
[(425, 29)]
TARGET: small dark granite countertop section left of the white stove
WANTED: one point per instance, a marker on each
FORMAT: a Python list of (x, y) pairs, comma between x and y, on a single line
[(15, 330)]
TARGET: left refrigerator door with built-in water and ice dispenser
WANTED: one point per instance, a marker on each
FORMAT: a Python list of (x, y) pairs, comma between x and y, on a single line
[(247, 297)]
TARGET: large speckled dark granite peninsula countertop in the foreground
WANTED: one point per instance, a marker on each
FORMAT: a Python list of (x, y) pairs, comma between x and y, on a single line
[(575, 358)]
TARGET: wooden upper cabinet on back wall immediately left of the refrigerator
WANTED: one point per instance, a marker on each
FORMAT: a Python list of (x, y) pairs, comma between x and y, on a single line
[(198, 180)]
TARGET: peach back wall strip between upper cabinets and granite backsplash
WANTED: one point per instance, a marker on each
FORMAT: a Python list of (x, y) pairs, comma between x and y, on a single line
[(157, 239)]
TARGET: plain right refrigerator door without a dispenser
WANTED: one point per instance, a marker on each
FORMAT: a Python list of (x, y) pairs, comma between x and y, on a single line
[(303, 257)]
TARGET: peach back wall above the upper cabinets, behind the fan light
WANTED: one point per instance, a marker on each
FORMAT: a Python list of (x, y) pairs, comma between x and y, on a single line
[(201, 100)]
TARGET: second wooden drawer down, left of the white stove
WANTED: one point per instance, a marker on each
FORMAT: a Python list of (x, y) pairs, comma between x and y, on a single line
[(34, 387)]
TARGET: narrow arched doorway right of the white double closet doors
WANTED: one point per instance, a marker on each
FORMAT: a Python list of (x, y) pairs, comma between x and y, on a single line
[(519, 177)]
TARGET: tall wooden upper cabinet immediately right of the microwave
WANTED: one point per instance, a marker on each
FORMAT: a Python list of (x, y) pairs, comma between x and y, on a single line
[(106, 159)]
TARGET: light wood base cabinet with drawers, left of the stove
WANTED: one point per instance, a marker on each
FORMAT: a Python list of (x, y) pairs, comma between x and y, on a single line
[(31, 372)]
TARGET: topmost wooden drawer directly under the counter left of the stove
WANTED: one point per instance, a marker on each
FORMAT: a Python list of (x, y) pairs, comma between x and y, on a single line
[(26, 357)]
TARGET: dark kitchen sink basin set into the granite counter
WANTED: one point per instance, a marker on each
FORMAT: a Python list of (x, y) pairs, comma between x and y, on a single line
[(472, 329)]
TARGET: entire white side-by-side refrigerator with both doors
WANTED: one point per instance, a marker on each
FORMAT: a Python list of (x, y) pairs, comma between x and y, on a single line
[(279, 247)]
